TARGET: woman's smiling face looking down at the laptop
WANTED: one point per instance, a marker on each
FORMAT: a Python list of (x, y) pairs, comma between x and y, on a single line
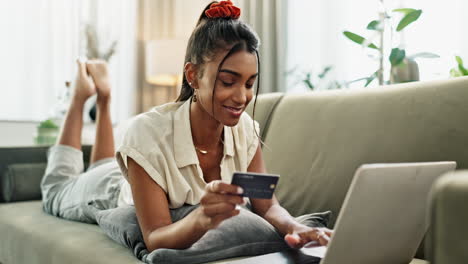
[(234, 86)]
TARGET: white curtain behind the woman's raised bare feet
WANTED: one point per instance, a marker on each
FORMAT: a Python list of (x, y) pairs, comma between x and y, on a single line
[(40, 42)]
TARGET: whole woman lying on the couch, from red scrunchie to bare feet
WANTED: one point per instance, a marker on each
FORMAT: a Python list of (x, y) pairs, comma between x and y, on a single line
[(176, 154)]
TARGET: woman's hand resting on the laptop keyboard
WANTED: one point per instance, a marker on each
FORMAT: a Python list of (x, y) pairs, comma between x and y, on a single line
[(300, 235)]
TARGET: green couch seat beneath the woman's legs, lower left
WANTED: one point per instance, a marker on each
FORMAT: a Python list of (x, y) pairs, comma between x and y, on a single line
[(31, 236)]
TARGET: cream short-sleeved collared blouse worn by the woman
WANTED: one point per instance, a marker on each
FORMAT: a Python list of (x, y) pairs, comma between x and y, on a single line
[(160, 141)]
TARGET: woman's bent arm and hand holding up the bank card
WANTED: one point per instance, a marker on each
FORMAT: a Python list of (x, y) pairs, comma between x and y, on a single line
[(152, 209)]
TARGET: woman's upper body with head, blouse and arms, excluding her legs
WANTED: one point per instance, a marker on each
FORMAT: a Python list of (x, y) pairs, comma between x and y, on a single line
[(185, 152)]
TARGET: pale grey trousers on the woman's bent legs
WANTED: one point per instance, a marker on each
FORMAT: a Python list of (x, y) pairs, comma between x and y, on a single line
[(69, 192)]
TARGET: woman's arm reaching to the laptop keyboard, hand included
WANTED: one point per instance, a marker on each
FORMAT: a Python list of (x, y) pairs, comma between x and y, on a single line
[(296, 234)]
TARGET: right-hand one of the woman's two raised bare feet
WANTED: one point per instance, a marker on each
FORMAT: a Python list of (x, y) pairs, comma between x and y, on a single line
[(99, 72)]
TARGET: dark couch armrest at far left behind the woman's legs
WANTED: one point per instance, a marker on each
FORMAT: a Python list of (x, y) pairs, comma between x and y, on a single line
[(25, 157)]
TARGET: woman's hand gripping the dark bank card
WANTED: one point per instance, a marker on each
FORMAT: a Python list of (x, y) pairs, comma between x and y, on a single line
[(218, 204)]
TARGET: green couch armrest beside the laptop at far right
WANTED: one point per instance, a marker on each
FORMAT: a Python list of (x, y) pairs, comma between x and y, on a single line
[(448, 234)]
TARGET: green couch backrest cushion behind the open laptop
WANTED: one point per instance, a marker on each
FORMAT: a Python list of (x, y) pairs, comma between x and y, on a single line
[(316, 141)]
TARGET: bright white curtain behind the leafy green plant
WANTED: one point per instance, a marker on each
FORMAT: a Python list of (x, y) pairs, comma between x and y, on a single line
[(315, 38)]
